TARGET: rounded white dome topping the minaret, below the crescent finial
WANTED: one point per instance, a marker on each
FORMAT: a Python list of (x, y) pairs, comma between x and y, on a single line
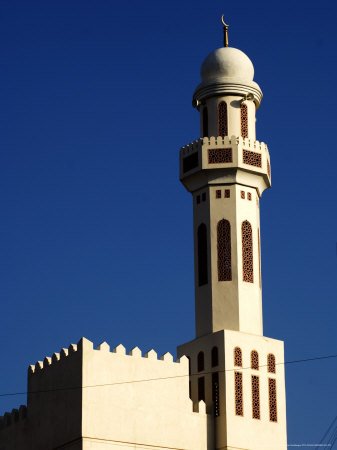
[(227, 62)]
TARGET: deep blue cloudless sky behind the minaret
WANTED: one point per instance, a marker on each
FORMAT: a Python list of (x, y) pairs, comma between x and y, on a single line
[(96, 234)]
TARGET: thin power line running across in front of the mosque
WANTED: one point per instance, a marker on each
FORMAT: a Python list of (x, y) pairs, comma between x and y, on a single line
[(296, 361)]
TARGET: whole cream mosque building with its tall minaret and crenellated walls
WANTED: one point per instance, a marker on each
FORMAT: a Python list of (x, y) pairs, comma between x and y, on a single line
[(226, 390)]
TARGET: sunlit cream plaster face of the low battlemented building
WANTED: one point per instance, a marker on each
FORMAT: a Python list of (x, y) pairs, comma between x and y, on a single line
[(157, 412)]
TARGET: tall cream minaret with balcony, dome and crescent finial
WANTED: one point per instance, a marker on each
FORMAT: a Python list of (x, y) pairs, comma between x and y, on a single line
[(234, 368)]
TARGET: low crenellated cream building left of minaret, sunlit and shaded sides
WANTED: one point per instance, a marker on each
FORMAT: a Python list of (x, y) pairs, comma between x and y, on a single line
[(84, 397)]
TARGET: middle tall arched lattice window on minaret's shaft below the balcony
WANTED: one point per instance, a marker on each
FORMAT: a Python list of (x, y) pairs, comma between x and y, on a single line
[(224, 250)]
